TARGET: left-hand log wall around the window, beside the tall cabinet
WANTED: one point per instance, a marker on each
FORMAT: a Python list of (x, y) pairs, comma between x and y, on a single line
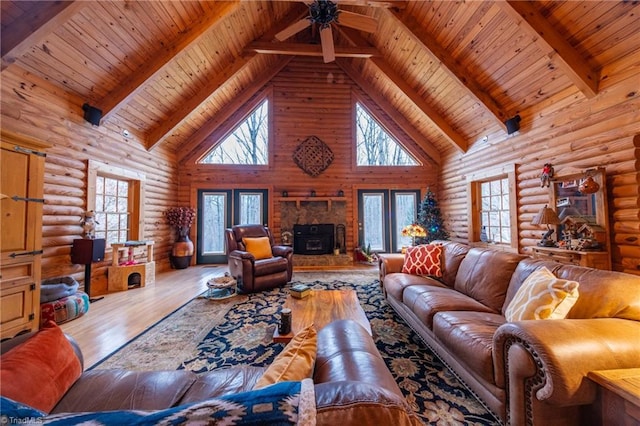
[(34, 107)]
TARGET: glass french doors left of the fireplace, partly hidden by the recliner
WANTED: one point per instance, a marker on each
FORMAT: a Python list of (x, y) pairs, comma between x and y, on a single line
[(219, 209)]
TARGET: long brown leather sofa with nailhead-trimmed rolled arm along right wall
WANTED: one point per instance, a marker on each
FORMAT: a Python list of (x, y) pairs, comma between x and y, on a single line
[(525, 372)]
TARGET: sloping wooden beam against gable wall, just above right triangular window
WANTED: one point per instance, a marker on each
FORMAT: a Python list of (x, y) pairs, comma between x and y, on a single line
[(386, 106)]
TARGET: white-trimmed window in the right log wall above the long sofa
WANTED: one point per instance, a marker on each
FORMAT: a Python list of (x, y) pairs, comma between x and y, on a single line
[(493, 208)]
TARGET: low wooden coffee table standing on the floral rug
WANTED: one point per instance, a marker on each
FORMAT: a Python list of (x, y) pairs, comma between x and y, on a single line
[(320, 308)]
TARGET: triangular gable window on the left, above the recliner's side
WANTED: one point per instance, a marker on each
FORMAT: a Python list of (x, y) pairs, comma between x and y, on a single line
[(248, 143)]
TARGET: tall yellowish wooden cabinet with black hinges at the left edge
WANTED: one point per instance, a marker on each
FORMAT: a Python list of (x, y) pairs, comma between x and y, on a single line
[(21, 186)]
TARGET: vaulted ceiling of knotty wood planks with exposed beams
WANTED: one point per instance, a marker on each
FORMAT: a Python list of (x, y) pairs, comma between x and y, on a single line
[(169, 71)]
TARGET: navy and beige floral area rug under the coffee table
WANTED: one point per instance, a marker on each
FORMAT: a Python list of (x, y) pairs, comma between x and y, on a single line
[(243, 336)]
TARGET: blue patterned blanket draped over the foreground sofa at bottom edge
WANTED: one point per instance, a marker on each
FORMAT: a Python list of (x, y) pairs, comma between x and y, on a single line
[(279, 404)]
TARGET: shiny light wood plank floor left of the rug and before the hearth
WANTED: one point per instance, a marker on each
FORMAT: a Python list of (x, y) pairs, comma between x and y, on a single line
[(119, 317)]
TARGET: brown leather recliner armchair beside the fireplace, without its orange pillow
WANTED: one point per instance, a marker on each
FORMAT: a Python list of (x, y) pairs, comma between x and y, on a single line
[(257, 275)]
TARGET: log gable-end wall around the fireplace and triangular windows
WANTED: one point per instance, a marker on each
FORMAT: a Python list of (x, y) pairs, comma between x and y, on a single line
[(311, 98)]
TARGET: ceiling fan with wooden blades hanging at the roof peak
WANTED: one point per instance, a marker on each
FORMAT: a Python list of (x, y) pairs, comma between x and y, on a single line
[(325, 13)]
